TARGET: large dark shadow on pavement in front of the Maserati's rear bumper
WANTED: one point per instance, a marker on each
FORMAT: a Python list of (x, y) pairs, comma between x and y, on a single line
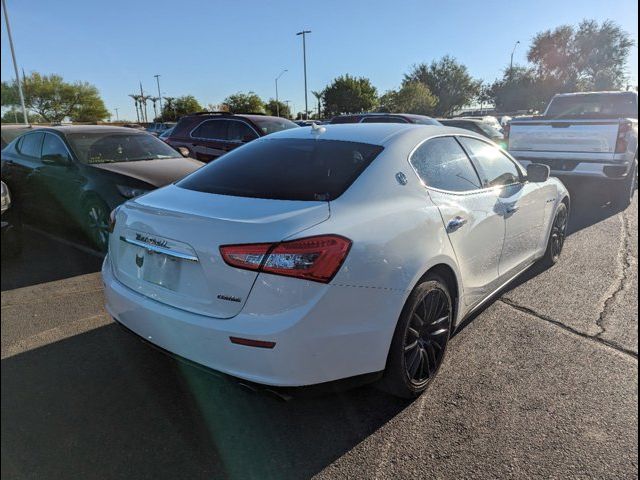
[(104, 405)]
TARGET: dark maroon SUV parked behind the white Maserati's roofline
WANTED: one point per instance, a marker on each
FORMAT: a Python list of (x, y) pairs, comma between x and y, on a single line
[(208, 135)]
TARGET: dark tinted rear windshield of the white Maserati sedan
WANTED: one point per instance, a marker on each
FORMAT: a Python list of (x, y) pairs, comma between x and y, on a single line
[(285, 169)]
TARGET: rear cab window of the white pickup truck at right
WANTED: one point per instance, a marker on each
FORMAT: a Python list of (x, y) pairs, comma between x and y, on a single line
[(594, 105)]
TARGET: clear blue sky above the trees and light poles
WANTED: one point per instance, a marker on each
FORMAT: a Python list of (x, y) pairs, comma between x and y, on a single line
[(214, 48)]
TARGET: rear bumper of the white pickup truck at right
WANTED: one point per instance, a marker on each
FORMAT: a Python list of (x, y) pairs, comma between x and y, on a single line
[(596, 166)]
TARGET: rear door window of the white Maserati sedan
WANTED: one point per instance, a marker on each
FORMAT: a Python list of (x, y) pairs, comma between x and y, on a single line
[(441, 163)]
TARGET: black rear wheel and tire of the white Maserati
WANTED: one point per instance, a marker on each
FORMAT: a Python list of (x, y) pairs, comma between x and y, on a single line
[(420, 339)]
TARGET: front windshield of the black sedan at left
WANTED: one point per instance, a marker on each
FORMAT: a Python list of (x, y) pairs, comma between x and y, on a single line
[(112, 147)]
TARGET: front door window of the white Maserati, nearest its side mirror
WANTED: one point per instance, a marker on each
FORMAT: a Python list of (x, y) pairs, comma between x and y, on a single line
[(497, 168)]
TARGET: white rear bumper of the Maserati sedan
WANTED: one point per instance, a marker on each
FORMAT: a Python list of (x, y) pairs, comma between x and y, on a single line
[(344, 332)]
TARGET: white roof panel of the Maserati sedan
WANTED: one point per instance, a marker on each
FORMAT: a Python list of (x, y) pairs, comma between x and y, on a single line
[(372, 133)]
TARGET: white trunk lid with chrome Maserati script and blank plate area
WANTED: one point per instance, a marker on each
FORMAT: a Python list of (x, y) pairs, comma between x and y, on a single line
[(165, 245)]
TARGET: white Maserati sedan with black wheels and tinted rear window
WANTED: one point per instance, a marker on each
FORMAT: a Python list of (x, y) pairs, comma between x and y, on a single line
[(331, 252)]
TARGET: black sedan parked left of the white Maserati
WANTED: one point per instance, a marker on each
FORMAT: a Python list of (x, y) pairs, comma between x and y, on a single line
[(75, 175)]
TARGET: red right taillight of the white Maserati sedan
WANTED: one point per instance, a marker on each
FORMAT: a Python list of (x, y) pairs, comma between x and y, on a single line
[(313, 258)]
